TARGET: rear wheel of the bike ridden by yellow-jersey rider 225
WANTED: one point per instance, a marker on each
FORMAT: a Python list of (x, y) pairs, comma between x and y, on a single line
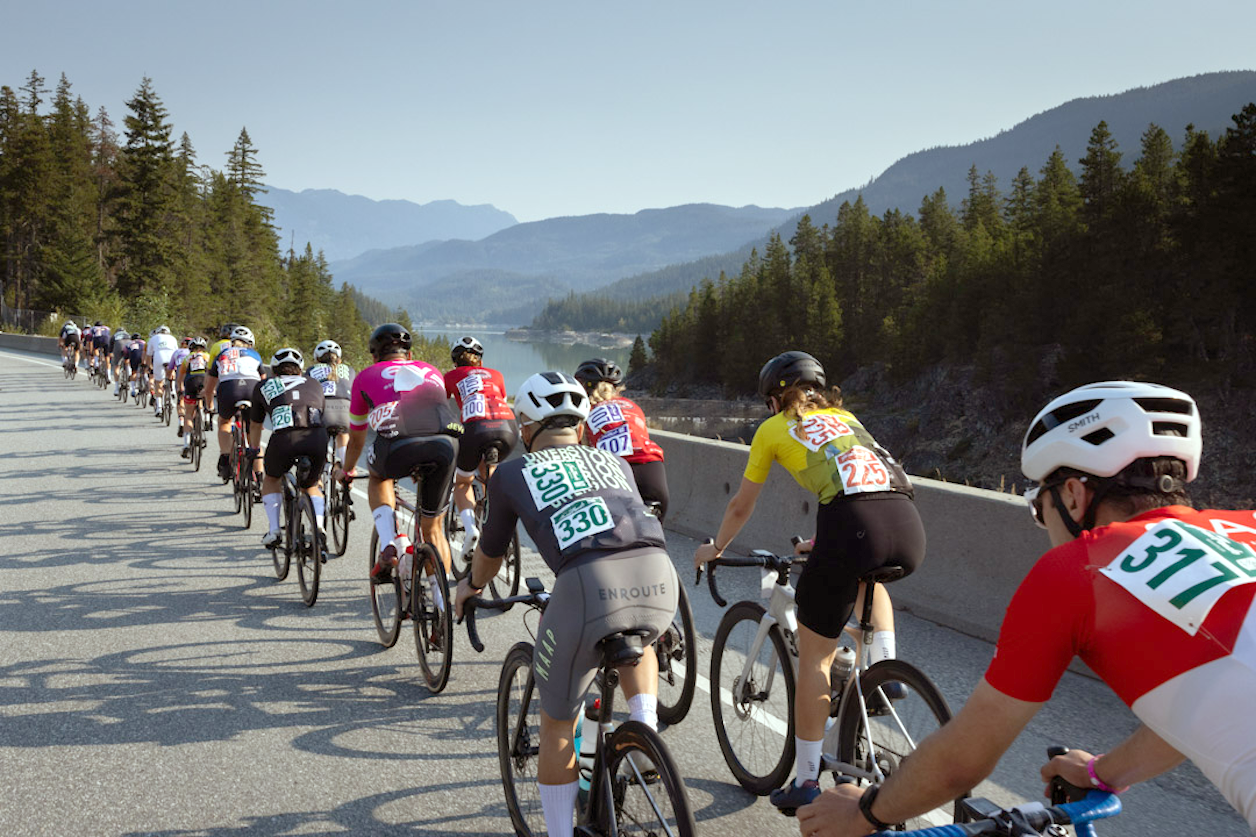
[(895, 728)]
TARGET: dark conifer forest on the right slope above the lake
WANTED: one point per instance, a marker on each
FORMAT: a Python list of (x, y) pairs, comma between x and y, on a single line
[(1141, 273)]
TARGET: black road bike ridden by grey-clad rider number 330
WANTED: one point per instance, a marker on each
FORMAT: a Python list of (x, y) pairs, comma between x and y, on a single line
[(634, 784)]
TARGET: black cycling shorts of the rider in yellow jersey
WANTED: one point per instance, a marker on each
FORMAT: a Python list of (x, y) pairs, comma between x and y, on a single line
[(855, 537)]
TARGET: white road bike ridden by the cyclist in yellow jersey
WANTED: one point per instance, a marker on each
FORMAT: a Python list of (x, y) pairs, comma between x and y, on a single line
[(879, 713)]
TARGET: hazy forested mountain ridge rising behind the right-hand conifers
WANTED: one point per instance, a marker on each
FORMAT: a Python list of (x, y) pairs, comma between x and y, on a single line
[(1205, 101)]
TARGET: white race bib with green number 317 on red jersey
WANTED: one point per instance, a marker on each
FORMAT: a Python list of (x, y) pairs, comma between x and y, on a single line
[(1181, 571)]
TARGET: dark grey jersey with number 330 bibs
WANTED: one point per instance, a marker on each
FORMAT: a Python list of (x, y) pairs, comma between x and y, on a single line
[(573, 501)]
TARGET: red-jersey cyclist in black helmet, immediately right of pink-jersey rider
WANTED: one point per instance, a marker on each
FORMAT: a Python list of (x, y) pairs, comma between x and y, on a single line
[(488, 422)]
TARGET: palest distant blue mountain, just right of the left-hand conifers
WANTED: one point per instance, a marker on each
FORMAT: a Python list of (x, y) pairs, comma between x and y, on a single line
[(347, 226)]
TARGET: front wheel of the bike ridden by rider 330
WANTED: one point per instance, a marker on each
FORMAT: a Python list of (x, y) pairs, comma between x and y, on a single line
[(519, 740)]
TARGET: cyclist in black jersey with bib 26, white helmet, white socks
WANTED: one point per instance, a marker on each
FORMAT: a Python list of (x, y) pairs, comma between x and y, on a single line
[(295, 405)]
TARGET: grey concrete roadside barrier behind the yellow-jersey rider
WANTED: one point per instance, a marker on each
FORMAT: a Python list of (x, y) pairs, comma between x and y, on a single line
[(980, 544)]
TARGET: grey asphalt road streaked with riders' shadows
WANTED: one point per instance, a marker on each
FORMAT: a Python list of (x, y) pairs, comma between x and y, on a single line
[(156, 679)]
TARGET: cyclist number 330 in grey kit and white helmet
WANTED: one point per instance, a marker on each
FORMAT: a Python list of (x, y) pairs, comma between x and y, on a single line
[(582, 508)]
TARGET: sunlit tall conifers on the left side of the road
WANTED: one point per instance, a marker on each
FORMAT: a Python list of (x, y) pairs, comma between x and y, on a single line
[(143, 236)]
